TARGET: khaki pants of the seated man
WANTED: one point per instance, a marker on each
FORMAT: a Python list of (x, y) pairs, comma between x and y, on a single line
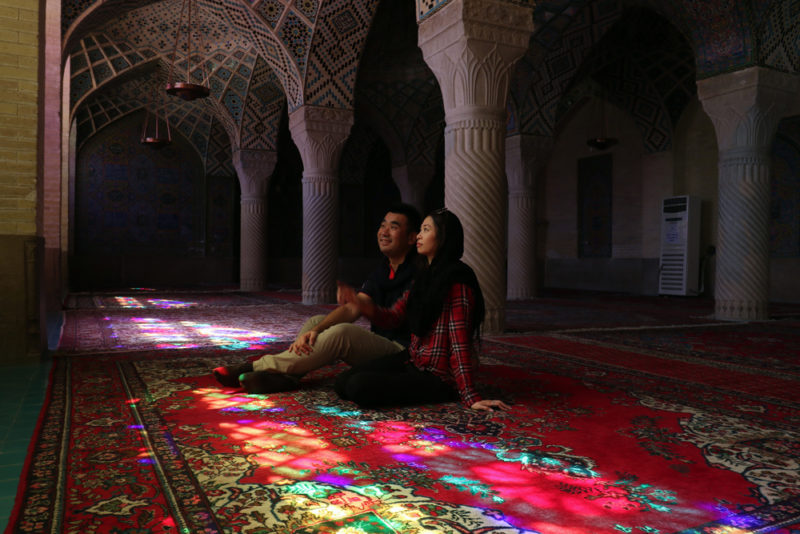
[(345, 341)]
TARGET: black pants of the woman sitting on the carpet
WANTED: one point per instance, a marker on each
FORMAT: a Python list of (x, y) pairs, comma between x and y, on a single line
[(392, 380)]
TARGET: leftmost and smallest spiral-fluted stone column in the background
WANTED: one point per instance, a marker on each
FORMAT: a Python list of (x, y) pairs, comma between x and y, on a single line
[(254, 168)]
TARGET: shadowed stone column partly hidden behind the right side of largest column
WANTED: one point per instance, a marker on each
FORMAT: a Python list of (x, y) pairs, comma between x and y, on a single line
[(525, 156)]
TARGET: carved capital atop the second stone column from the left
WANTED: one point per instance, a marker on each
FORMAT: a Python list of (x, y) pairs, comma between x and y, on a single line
[(319, 134)]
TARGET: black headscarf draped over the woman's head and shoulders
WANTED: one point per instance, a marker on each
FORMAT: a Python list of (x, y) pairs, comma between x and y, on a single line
[(433, 282)]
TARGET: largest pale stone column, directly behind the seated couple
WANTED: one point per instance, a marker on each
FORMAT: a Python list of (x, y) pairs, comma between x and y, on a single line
[(471, 47)]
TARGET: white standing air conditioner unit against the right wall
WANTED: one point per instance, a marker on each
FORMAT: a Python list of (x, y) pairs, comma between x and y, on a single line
[(679, 269)]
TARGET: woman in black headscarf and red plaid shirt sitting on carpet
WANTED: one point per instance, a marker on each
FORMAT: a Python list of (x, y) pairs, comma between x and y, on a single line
[(445, 310)]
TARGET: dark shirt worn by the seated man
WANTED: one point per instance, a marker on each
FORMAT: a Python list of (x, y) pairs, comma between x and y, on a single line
[(385, 292)]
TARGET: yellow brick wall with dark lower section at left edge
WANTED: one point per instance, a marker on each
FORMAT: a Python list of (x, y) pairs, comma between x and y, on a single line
[(20, 249)]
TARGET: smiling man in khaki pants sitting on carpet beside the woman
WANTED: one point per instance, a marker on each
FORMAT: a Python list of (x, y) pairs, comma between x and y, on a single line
[(326, 338)]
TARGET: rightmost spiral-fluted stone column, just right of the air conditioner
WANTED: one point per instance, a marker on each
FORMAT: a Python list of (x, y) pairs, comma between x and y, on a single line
[(745, 107)]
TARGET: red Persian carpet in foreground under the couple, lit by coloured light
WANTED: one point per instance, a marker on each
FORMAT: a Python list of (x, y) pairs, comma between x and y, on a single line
[(147, 442)]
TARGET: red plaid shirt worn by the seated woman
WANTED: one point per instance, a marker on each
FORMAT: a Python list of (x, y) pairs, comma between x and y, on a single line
[(446, 350)]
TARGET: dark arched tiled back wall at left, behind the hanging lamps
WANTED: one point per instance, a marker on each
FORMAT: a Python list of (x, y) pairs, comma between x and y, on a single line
[(133, 199)]
